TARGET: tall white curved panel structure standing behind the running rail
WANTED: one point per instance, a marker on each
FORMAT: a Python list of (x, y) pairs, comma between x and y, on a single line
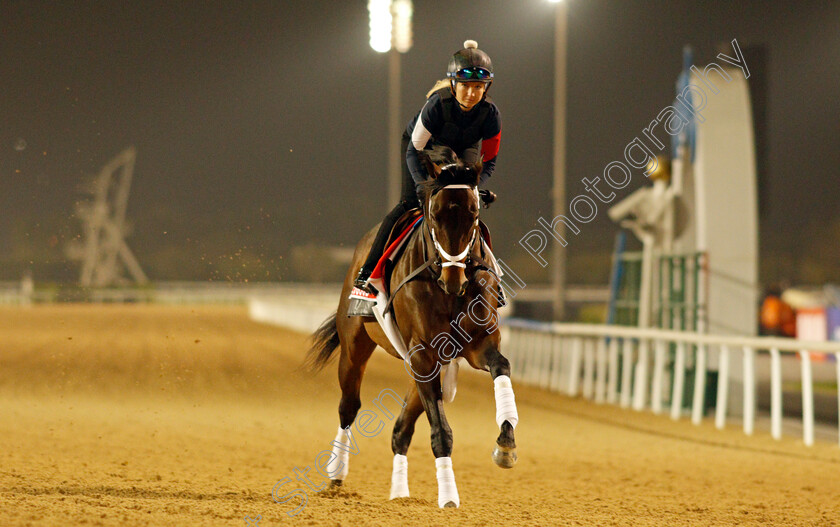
[(723, 181)]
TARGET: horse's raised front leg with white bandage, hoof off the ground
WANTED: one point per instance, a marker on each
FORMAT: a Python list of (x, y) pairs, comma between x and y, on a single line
[(504, 454)]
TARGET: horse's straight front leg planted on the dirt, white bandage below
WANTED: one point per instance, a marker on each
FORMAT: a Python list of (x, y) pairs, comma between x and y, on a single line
[(441, 434)]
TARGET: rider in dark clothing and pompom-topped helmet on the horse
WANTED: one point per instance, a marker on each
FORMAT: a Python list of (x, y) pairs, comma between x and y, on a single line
[(457, 114)]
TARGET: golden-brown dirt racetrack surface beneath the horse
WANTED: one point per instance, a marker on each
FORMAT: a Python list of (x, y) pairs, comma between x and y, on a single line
[(149, 415)]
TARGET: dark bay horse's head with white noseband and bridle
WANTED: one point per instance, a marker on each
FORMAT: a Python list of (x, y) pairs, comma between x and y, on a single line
[(450, 204)]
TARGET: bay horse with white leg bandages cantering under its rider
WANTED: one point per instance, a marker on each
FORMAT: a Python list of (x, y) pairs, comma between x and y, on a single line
[(444, 312)]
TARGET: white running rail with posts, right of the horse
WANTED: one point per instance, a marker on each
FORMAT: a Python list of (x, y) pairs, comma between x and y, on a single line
[(613, 364)]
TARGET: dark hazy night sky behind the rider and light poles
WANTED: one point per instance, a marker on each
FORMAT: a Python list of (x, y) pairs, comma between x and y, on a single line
[(263, 127)]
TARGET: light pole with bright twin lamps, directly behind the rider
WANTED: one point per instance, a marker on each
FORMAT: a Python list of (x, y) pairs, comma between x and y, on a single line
[(390, 32)]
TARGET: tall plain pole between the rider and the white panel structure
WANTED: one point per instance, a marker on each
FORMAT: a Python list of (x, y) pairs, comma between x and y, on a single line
[(558, 269)]
